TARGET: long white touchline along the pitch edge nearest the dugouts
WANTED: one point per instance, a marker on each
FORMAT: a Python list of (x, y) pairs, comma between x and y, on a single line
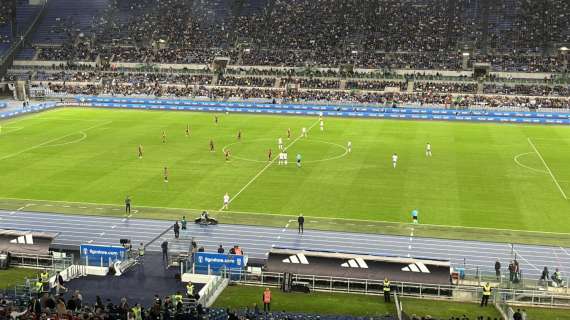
[(290, 215)]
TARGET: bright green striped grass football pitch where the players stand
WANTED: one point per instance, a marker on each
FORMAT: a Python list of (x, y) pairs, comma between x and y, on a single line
[(480, 175)]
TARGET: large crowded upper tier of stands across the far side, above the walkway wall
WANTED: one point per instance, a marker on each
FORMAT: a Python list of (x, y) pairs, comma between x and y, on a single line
[(512, 35)]
